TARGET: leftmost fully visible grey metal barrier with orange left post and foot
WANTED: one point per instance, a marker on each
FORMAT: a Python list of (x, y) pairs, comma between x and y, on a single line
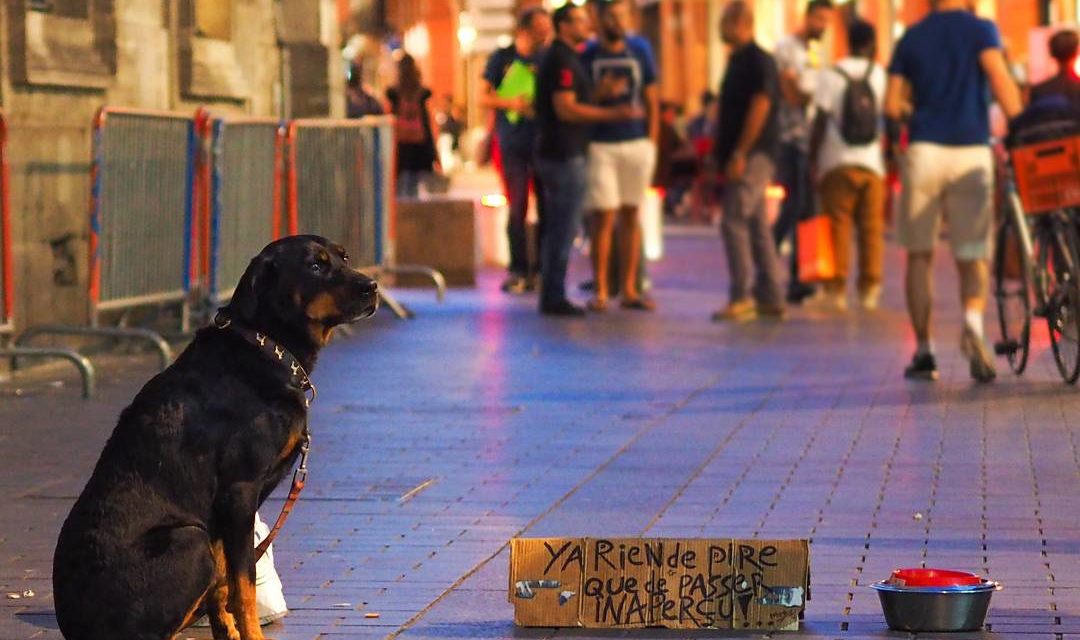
[(141, 228)]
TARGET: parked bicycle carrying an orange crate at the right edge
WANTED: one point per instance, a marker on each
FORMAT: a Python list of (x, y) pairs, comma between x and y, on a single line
[(1037, 260)]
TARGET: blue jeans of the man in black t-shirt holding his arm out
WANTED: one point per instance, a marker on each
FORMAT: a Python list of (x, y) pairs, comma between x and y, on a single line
[(564, 187)]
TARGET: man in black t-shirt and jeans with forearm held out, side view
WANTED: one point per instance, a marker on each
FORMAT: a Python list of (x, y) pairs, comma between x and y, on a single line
[(563, 118)]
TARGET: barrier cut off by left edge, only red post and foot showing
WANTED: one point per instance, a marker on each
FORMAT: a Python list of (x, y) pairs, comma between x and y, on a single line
[(8, 285)]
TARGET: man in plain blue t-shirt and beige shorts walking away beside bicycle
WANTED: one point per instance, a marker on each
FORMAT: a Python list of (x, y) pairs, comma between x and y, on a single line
[(941, 78)]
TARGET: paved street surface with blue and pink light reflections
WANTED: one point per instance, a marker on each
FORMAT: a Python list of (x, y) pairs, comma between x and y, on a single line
[(438, 440)]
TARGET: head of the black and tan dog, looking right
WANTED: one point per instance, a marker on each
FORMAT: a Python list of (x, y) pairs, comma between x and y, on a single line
[(303, 285)]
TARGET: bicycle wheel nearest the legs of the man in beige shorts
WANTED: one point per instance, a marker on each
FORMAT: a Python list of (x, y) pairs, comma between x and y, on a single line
[(1012, 292)]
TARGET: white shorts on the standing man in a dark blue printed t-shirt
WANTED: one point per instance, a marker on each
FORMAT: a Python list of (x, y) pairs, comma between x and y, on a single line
[(619, 173)]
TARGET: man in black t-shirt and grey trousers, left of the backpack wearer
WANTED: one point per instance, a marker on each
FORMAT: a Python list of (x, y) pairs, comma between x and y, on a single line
[(747, 142)]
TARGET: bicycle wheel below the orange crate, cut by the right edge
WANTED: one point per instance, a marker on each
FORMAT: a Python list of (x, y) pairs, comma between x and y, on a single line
[(1063, 296)]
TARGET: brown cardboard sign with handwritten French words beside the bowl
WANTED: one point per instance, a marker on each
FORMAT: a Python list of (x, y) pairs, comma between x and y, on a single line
[(674, 583)]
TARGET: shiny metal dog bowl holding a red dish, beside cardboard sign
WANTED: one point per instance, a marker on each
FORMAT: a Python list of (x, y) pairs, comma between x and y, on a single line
[(936, 609)]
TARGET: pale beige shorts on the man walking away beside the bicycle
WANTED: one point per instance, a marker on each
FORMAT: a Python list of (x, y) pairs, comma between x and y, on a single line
[(954, 185)]
